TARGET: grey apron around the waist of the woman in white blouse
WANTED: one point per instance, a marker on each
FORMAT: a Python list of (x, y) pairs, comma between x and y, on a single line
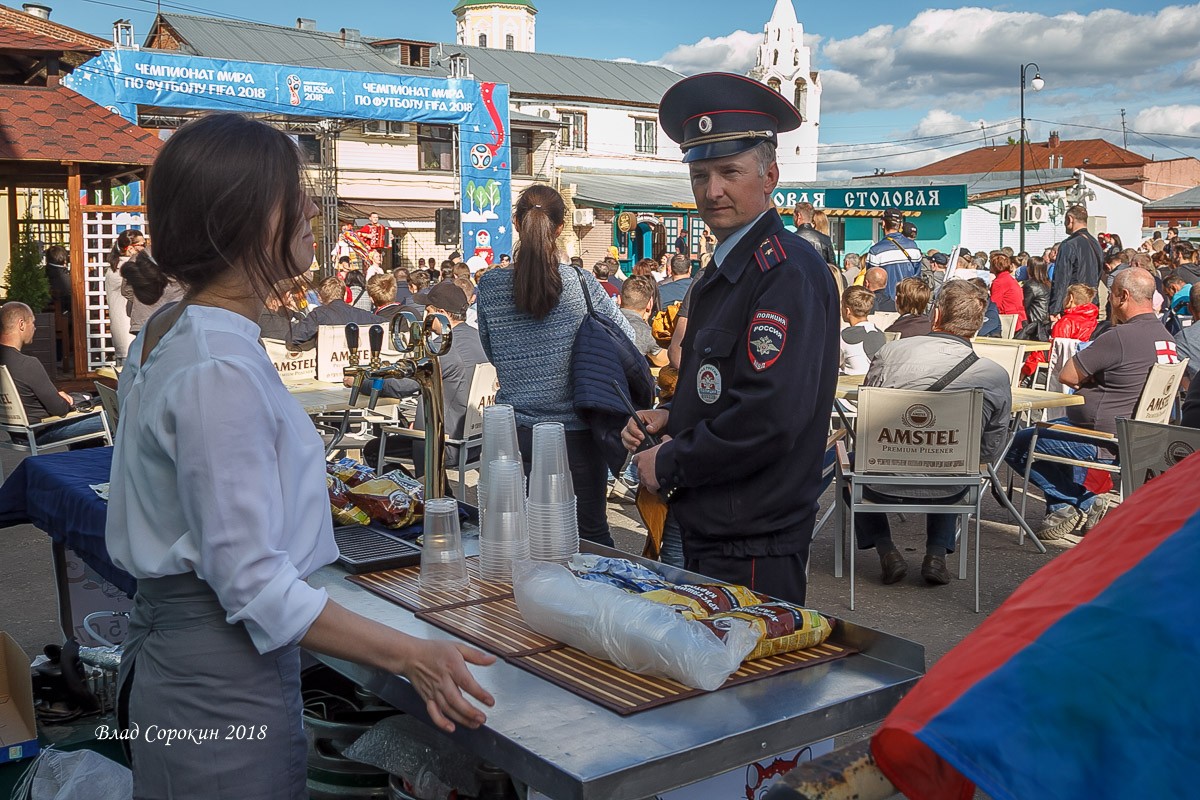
[(205, 714)]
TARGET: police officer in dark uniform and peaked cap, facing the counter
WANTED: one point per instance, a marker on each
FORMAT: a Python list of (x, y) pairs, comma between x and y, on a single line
[(747, 429)]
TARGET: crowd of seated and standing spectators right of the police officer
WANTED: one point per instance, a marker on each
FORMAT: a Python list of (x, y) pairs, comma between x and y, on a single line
[(1109, 312)]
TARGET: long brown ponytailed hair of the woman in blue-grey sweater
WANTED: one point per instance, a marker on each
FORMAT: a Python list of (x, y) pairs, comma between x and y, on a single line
[(537, 284)]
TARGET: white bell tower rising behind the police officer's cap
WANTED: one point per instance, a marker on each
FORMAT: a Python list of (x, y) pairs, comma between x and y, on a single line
[(785, 64)]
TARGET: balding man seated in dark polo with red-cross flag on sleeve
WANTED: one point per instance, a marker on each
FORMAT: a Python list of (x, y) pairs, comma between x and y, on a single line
[(1109, 375)]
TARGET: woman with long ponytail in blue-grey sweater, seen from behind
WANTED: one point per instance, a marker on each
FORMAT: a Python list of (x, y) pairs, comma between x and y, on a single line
[(529, 317)]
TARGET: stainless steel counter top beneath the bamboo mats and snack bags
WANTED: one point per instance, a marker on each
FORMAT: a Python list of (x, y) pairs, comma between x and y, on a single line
[(571, 749)]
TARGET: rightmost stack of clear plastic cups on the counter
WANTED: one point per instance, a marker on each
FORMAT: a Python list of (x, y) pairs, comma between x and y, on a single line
[(554, 528)]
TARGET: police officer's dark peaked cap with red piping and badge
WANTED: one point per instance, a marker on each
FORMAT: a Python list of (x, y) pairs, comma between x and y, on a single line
[(719, 115)]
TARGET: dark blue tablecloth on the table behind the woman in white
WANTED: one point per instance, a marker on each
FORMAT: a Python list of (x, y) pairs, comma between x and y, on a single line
[(55, 494)]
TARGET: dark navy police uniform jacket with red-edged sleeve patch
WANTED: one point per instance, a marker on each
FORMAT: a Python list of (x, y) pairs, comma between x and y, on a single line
[(752, 412)]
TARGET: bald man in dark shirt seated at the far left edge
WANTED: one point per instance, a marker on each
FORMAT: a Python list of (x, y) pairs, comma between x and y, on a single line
[(38, 394)]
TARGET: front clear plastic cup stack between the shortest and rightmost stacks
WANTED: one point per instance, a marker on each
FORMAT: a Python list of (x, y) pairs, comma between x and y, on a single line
[(505, 537)]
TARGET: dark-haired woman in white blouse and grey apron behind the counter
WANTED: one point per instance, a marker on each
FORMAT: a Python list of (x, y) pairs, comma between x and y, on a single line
[(218, 502)]
